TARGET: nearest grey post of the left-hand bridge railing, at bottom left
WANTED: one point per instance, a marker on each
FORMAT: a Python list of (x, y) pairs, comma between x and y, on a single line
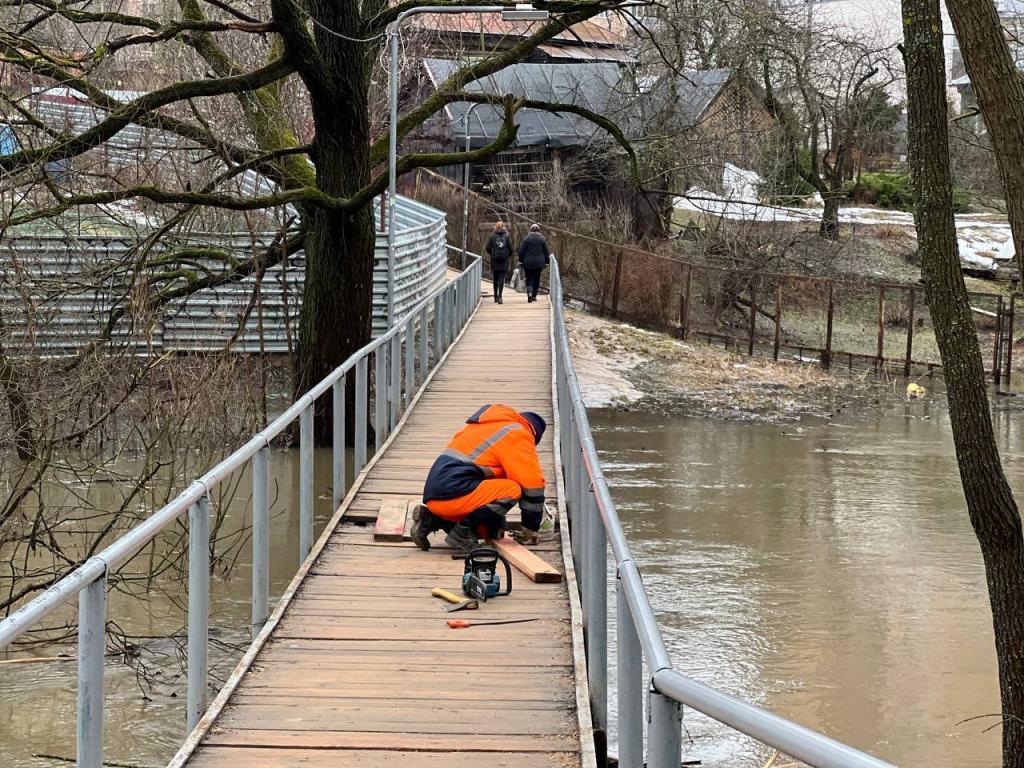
[(92, 650)]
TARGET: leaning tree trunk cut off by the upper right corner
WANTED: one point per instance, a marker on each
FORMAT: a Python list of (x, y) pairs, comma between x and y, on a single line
[(1000, 89)]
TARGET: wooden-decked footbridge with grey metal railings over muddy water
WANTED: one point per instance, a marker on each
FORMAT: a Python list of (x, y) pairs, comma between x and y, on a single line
[(355, 664)]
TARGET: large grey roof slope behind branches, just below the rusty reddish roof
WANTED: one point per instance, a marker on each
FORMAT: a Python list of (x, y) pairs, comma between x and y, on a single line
[(587, 86)]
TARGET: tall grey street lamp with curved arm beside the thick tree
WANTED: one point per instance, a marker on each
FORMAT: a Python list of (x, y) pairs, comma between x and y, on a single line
[(519, 13)]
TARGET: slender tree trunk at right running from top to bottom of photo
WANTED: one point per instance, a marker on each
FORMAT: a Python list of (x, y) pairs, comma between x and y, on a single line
[(991, 503)]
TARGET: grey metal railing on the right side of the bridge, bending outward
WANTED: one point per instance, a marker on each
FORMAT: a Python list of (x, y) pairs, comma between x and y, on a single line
[(595, 527)]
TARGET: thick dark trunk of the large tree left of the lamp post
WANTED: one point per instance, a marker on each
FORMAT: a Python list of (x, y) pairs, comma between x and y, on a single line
[(339, 246)]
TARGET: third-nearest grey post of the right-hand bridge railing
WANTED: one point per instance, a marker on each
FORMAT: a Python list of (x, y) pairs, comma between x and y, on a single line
[(598, 627)]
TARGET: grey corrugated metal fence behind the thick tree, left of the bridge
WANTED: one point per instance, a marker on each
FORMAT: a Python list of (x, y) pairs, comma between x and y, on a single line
[(57, 293)]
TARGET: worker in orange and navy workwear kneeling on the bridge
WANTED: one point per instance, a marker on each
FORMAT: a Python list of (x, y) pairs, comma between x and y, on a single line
[(489, 467)]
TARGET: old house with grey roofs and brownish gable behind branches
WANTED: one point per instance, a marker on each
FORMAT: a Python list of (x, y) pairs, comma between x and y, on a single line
[(710, 110)]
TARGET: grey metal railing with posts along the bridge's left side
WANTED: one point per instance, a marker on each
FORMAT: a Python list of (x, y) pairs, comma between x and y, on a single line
[(450, 307)]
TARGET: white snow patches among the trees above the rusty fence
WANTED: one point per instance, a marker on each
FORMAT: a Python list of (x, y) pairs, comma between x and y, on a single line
[(986, 240)]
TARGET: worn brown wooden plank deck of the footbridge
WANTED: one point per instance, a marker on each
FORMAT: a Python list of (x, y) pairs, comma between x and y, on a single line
[(361, 669)]
